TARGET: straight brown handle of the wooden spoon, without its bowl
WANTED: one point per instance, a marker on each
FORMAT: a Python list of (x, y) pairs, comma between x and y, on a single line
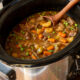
[(65, 9)]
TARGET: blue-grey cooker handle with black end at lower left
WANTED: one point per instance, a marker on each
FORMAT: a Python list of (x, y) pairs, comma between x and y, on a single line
[(8, 71)]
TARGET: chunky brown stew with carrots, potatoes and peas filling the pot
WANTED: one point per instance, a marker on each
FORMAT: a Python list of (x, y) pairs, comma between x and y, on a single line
[(36, 37)]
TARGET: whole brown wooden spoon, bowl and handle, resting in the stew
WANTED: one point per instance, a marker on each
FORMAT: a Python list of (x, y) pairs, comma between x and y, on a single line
[(54, 19)]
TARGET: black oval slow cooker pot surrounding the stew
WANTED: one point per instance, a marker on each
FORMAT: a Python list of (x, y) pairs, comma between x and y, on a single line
[(14, 12)]
